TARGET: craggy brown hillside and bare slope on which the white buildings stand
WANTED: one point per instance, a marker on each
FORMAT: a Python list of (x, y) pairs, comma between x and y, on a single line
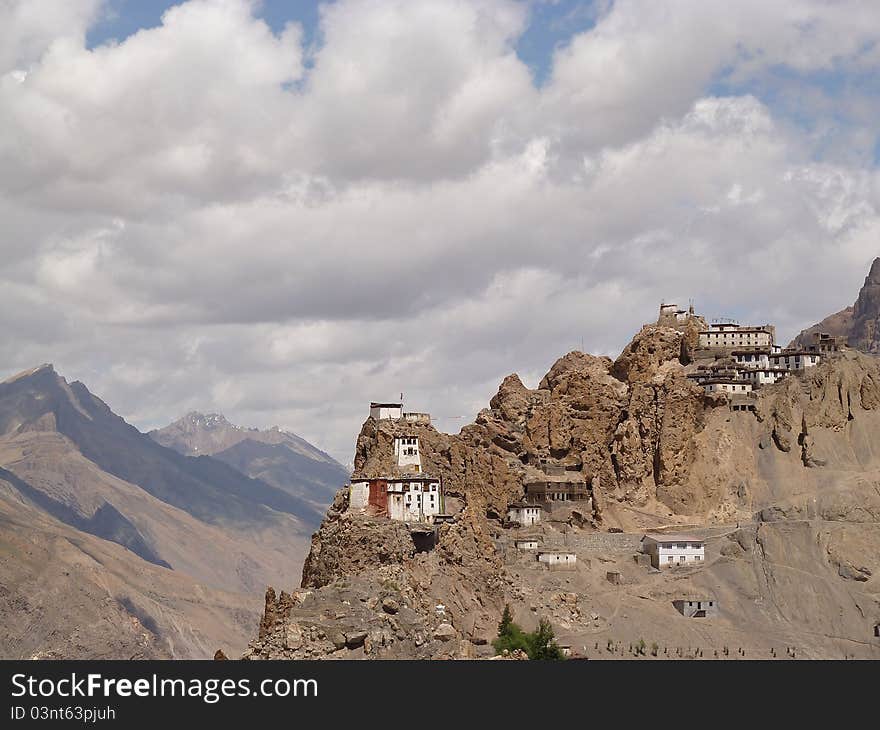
[(787, 497)]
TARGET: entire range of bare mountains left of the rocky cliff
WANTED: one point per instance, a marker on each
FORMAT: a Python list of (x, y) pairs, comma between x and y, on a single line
[(115, 546)]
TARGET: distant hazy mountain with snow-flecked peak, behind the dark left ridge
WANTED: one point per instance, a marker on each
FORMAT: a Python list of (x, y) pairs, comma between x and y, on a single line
[(275, 456)]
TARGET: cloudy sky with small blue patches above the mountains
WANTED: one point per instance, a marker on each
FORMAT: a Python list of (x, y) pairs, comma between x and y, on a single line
[(284, 210)]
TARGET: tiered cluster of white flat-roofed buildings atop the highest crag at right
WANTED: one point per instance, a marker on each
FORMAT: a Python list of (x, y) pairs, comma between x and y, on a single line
[(737, 359)]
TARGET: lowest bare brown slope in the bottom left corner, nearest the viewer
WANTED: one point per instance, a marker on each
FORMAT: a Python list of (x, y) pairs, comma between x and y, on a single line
[(68, 594)]
